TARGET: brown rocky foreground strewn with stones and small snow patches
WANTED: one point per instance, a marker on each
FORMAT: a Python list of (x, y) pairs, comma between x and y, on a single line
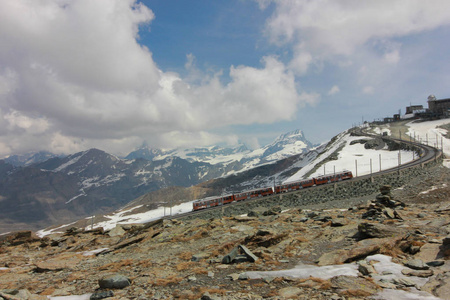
[(394, 246)]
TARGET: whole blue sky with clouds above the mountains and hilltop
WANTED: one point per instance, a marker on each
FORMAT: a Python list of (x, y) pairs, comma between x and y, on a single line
[(117, 74)]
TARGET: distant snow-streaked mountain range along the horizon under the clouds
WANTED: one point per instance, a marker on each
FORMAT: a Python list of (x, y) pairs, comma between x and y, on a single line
[(40, 189)]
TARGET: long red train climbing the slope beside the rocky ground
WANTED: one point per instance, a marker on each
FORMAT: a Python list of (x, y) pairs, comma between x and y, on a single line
[(284, 188)]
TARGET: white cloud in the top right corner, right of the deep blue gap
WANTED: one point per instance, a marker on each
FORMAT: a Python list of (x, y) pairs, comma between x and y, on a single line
[(340, 27)]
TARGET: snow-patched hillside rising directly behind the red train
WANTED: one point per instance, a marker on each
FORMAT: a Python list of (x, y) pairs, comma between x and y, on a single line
[(339, 154)]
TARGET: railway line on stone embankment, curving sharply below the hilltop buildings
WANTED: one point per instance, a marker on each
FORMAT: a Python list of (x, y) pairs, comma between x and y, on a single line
[(426, 154)]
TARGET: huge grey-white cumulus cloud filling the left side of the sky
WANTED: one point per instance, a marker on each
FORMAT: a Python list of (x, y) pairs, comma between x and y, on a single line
[(73, 74)]
